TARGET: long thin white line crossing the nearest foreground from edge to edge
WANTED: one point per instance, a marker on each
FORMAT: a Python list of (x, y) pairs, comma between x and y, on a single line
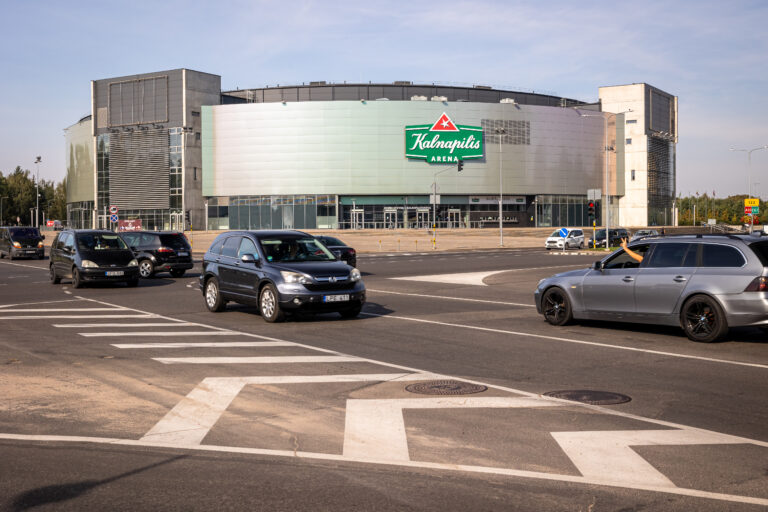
[(482, 470)]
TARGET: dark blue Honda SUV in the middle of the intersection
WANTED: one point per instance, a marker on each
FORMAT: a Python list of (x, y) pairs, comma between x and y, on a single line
[(279, 271)]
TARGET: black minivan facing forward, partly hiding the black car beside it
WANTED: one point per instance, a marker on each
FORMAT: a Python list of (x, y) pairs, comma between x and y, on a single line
[(86, 255)]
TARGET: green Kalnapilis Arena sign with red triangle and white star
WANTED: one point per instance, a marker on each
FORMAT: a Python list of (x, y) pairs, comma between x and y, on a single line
[(444, 141)]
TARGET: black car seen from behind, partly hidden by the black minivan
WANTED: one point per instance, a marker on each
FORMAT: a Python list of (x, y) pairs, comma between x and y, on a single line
[(160, 251)]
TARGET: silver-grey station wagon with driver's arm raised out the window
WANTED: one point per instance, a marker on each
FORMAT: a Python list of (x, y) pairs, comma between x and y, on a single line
[(703, 283)]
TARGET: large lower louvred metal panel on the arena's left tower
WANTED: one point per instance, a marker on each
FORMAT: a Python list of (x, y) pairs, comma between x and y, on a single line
[(138, 169)]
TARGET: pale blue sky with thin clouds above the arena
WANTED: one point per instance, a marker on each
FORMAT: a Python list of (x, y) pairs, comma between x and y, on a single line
[(712, 55)]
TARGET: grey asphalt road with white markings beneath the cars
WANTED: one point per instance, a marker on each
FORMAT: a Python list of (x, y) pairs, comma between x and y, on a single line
[(141, 399)]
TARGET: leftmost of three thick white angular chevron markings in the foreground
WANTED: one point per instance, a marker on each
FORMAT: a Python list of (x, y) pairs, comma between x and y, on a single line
[(192, 418)]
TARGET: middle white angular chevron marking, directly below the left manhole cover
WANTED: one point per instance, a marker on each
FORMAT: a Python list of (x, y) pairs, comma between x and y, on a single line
[(375, 429)]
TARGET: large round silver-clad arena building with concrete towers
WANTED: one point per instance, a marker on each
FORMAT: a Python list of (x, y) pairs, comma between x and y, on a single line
[(170, 150)]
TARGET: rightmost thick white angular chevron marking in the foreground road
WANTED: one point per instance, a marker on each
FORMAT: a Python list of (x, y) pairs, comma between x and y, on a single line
[(606, 455)]
